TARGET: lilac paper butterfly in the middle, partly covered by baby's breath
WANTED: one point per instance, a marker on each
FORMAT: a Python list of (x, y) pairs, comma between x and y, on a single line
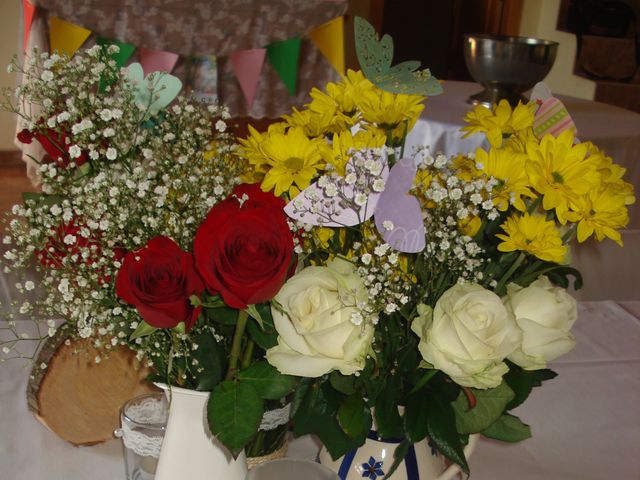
[(398, 217)]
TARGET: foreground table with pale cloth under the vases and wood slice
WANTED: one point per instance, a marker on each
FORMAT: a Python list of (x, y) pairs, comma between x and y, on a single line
[(585, 422)]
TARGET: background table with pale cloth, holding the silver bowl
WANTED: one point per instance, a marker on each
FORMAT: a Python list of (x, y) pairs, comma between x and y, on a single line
[(613, 129)]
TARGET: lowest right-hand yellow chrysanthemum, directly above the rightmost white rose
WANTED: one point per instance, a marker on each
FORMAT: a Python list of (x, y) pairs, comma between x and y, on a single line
[(532, 234)]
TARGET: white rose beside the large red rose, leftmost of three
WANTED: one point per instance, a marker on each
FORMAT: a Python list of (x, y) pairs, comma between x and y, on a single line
[(313, 317)]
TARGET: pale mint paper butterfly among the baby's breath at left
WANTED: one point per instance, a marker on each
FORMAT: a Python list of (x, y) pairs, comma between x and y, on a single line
[(165, 87)]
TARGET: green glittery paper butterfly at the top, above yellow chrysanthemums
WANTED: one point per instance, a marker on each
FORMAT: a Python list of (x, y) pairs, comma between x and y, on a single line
[(375, 58)]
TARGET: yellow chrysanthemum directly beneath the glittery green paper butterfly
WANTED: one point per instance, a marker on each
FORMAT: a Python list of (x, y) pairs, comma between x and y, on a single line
[(397, 112)]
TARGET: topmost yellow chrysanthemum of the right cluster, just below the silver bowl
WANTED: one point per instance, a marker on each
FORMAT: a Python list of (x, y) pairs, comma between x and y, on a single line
[(500, 121)]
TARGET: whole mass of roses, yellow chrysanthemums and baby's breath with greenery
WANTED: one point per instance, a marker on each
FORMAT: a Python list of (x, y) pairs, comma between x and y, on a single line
[(317, 261)]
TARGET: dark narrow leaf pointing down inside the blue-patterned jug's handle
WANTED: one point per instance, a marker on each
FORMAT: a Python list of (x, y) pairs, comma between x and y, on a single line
[(441, 426)]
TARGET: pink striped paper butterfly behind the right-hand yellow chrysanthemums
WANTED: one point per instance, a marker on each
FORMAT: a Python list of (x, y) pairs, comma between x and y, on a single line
[(551, 117)]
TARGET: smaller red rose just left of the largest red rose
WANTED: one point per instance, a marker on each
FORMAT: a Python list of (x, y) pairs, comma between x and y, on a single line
[(158, 280)]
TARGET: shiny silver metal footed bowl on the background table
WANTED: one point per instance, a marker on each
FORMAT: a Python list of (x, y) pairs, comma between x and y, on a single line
[(507, 66)]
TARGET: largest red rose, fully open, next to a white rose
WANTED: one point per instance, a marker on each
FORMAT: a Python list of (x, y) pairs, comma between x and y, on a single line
[(244, 247)]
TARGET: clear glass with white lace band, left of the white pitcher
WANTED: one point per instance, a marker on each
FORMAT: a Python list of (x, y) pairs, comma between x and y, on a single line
[(143, 421)]
